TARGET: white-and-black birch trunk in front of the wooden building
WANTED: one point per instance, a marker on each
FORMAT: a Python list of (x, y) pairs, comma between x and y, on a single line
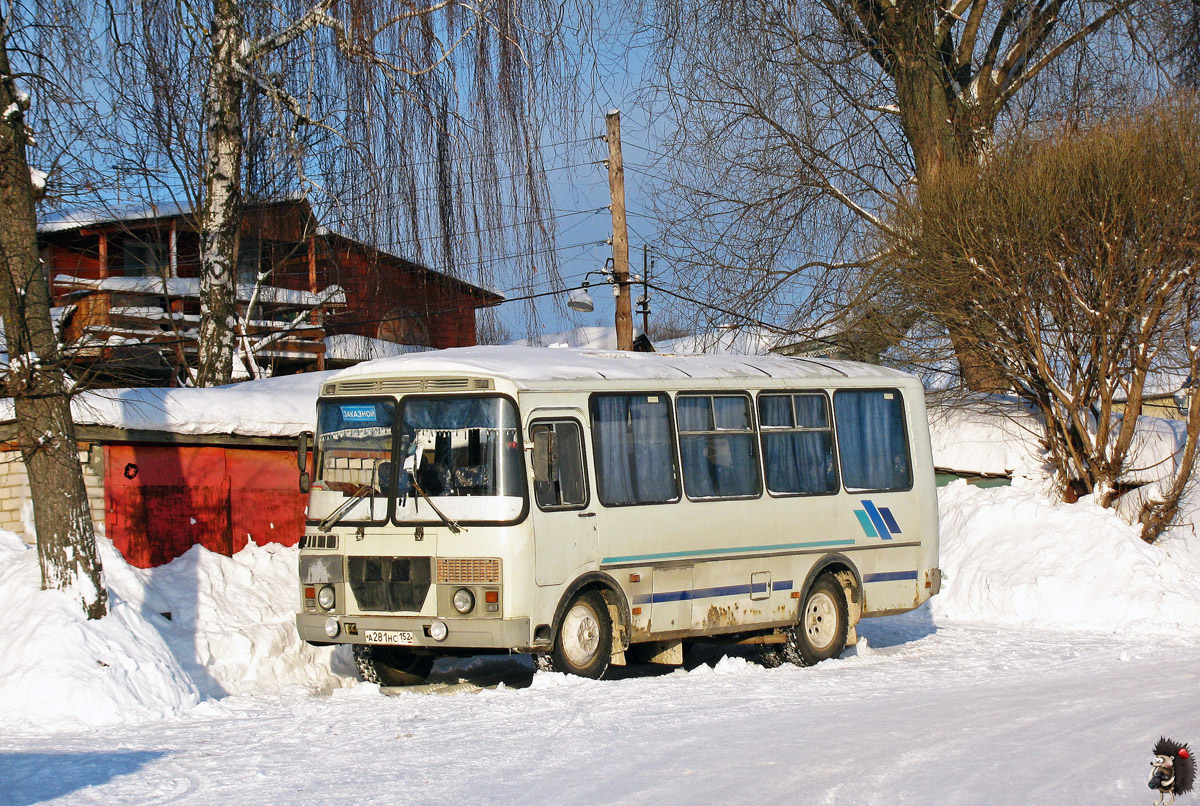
[(221, 221)]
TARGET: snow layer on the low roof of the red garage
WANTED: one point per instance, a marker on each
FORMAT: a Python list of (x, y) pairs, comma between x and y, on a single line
[(274, 407)]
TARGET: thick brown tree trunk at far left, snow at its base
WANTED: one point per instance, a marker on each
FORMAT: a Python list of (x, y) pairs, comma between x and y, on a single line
[(67, 544)]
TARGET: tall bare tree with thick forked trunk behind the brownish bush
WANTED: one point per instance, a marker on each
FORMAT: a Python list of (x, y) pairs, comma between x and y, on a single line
[(799, 123)]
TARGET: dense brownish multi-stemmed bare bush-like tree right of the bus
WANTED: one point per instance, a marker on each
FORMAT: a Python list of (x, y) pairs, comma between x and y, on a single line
[(1073, 262)]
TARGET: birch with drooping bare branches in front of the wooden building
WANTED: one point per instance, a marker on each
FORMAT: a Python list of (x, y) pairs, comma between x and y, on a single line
[(413, 127)]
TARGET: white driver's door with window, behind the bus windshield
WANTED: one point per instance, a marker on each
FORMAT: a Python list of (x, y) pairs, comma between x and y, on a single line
[(563, 515)]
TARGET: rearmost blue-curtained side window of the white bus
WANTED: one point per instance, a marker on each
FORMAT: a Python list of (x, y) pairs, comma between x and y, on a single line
[(873, 441)]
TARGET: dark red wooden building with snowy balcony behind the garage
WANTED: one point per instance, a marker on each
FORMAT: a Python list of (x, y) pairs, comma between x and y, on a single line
[(127, 293)]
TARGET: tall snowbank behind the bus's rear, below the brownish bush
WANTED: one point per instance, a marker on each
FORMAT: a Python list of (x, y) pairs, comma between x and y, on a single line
[(1013, 558)]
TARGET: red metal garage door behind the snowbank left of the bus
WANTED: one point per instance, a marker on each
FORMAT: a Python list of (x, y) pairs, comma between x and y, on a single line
[(164, 500)]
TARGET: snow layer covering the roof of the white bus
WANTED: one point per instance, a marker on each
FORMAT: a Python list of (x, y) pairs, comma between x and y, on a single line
[(532, 365)]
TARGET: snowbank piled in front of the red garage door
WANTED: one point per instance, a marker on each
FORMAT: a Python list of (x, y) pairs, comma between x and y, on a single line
[(202, 627)]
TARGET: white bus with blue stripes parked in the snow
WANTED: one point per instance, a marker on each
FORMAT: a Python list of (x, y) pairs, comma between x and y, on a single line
[(583, 506)]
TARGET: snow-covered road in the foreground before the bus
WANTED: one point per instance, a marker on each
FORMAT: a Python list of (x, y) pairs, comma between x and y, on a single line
[(958, 714)]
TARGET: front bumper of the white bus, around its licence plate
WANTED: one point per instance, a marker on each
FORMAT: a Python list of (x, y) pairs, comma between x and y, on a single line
[(464, 634)]
